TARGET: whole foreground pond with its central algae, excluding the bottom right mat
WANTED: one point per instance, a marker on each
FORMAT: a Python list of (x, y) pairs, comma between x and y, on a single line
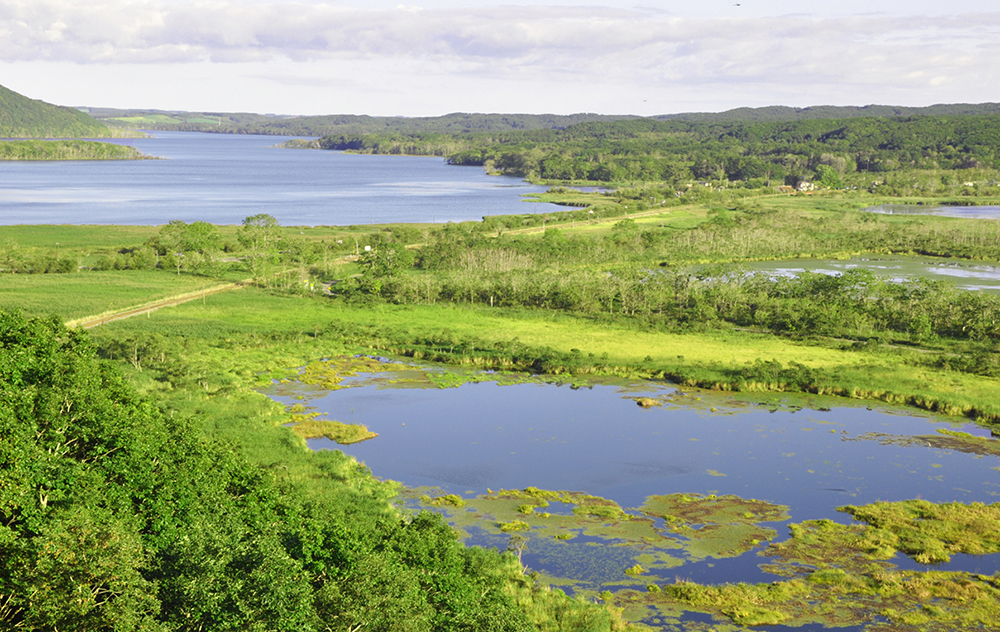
[(606, 488)]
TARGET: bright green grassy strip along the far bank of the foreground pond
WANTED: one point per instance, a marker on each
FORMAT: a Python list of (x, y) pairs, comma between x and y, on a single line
[(275, 333)]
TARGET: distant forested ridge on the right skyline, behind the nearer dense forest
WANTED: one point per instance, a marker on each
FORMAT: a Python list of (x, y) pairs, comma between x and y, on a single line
[(775, 113)]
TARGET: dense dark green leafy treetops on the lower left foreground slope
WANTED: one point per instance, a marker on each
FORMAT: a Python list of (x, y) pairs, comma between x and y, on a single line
[(116, 516)]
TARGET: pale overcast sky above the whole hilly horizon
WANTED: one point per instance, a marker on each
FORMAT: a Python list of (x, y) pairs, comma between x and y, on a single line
[(431, 57)]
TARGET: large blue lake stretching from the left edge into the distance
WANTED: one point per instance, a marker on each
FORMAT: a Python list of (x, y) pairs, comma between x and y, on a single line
[(223, 178)]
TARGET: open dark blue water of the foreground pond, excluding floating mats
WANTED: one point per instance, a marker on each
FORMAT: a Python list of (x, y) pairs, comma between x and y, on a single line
[(811, 455)]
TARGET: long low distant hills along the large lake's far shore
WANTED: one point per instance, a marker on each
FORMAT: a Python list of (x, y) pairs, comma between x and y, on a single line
[(244, 123)]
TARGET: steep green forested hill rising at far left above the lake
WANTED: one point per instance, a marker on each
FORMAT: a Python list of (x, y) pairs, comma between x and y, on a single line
[(21, 117)]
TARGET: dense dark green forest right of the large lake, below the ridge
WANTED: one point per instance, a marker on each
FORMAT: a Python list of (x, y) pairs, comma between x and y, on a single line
[(829, 151)]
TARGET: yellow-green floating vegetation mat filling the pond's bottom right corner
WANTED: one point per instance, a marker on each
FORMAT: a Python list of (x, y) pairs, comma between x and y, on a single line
[(838, 574)]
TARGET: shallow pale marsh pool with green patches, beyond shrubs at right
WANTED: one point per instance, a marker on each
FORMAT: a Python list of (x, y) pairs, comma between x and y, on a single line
[(964, 274)]
